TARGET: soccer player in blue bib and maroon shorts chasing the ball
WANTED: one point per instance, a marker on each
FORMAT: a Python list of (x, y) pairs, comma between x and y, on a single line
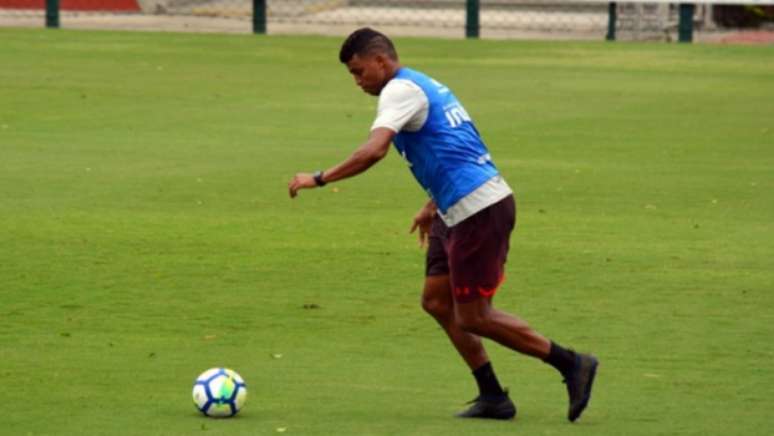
[(466, 224)]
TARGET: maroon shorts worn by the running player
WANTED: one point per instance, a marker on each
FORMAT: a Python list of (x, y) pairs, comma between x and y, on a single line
[(473, 252)]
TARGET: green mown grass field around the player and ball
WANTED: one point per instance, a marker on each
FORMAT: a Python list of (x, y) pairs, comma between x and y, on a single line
[(146, 235)]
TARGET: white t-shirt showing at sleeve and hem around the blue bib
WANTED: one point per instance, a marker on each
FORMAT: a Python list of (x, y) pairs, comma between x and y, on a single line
[(403, 106)]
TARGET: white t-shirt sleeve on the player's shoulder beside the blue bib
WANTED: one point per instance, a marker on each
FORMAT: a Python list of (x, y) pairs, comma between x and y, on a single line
[(402, 104)]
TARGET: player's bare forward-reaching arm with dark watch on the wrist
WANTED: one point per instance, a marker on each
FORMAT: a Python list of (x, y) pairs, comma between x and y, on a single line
[(364, 157)]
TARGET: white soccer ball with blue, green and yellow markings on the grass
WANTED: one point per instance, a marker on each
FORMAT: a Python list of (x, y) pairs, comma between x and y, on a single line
[(219, 392)]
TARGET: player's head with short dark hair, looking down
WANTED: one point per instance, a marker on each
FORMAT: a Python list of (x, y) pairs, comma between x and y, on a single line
[(371, 59)]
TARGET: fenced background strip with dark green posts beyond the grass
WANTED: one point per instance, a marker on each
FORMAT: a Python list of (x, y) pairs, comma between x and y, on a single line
[(743, 20)]
